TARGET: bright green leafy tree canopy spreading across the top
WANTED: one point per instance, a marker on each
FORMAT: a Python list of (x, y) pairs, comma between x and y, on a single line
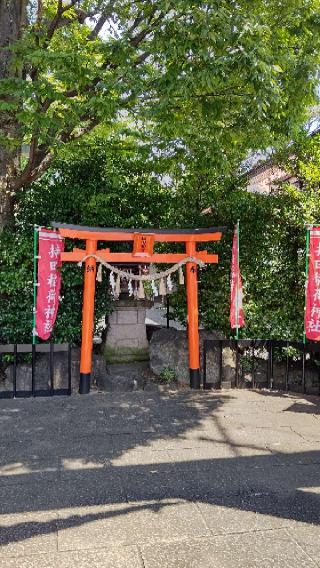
[(222, 74)]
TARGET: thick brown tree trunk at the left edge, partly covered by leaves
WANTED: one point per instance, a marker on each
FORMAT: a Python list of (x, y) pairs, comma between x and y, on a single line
[(12, 19)]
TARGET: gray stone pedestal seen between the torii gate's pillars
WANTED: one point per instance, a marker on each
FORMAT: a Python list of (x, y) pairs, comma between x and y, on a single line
[(127, 337)]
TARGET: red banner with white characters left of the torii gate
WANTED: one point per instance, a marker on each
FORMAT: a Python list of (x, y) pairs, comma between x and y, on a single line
[(51, 244)]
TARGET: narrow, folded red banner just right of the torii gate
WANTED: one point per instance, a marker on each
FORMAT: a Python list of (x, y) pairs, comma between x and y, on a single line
[(236, 304)]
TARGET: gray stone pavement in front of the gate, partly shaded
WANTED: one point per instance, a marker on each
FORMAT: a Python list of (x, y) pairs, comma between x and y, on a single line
[(171, 480)]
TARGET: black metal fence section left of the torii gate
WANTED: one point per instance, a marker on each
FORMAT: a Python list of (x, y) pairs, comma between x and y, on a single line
[(17, 359)]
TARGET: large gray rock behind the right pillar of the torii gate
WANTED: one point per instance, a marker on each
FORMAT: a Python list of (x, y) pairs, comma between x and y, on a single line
[(169, 349)]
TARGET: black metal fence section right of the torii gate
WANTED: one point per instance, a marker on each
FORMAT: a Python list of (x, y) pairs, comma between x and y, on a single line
[(273, 364)]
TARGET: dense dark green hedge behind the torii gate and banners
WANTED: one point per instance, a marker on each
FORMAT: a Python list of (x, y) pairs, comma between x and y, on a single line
[(116, 181)]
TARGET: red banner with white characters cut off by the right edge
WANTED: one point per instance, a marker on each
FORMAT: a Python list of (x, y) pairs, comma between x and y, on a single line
[(312, 313)]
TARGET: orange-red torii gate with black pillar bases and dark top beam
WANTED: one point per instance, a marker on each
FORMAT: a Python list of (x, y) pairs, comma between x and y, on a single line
[(143, 242)]
